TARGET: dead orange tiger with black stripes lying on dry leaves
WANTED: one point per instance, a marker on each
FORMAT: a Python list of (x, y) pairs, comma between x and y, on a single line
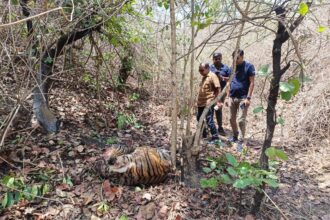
[(128, 166)]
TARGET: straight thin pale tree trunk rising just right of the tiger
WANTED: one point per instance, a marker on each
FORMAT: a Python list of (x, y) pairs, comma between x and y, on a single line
[(174, 85)]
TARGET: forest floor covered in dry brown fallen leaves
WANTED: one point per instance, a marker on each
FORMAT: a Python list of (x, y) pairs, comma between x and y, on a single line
[(63, 161)]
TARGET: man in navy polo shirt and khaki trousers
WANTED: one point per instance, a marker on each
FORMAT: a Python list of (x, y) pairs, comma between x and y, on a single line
[(239, 97)]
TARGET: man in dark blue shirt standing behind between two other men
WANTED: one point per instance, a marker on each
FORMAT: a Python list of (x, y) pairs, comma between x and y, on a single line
[(223, 72)]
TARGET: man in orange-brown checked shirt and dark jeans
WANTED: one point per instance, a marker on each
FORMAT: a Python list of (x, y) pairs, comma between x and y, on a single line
[(208, 90)]
